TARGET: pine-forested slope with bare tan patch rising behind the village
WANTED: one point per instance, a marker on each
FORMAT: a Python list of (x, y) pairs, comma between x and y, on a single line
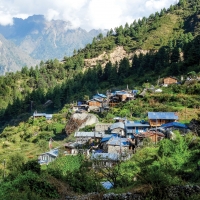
[(165, 44)]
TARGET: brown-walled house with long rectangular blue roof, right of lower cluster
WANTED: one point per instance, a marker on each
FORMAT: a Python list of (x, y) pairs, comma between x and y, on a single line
[(157, 119)]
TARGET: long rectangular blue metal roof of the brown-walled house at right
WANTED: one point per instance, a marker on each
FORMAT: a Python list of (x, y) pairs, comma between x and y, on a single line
[(162, 115)]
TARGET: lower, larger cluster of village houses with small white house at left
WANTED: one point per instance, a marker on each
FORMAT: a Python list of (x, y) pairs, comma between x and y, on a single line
[(118, 141)]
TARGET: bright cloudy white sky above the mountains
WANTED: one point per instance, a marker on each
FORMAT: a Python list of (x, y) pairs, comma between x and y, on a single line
[(87, 14)]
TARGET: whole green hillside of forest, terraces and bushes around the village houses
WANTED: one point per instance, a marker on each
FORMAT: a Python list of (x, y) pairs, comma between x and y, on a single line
[(138, 56)]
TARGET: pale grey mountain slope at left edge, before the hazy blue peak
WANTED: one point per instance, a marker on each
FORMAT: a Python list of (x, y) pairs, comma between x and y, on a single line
[(12, 58)]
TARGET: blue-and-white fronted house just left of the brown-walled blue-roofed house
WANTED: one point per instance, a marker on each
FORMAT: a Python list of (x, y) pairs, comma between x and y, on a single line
[(132, 128)]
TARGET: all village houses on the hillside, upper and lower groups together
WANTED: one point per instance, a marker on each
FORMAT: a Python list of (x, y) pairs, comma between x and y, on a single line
[(113, 142)]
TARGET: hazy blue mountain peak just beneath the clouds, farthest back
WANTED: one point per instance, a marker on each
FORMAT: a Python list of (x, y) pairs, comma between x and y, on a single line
[(44, 40)]
